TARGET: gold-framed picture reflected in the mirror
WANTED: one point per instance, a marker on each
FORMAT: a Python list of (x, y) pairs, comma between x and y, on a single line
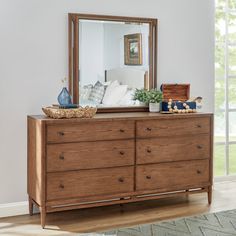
[(133, 49)]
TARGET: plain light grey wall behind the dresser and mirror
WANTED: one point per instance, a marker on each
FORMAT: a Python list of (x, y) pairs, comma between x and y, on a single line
[(33, 60)]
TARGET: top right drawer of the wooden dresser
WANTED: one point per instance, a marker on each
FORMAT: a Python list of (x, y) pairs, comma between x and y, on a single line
[(172, 127)]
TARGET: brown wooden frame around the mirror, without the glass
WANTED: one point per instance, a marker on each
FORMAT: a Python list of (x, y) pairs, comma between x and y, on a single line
[(73, 36)]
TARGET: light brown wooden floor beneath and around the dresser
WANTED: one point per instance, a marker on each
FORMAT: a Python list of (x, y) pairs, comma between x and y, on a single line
[(105, 218)]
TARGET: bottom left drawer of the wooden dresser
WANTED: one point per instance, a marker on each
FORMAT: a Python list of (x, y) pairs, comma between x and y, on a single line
[(90, 182)]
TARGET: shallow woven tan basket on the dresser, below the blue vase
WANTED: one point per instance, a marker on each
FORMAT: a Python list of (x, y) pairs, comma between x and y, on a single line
[(81, 112)]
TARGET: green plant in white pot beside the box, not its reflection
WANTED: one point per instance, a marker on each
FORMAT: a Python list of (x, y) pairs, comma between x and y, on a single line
[(154, 97)]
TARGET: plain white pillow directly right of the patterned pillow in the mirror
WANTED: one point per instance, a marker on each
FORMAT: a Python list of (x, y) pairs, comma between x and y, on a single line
[(114, 94)]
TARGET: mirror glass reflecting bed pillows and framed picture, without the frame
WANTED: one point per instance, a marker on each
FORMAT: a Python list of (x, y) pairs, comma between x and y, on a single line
[(113, 62)]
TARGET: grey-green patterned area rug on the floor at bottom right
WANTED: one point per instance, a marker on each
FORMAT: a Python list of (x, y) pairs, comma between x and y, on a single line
[(215, 224)]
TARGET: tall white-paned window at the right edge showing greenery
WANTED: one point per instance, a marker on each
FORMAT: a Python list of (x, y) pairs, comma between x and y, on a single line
[(225, 88)]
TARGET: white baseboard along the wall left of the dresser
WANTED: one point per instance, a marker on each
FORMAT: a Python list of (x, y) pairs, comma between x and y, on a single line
[(14, 209)]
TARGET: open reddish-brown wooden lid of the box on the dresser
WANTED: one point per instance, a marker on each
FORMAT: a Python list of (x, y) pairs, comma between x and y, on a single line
[(176, 92)]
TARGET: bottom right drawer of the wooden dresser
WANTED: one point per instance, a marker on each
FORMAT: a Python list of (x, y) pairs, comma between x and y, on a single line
[(173, 176)]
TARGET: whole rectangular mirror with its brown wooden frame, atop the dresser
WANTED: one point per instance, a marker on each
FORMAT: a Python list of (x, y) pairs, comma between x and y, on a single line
[(110, 57)]
